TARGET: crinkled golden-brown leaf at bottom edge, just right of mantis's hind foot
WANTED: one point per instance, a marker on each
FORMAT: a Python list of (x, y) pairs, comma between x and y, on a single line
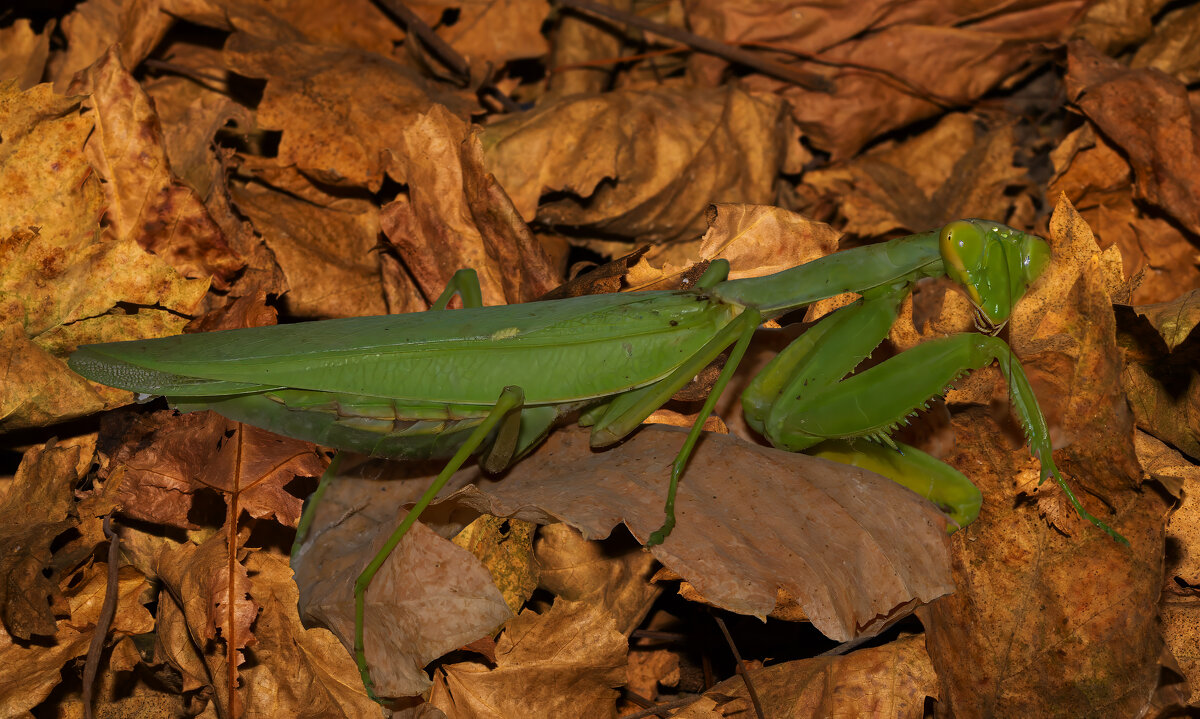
[(567, 662)]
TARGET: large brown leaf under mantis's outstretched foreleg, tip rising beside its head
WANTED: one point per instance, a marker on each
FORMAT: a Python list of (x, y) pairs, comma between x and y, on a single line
[(1055, 616)]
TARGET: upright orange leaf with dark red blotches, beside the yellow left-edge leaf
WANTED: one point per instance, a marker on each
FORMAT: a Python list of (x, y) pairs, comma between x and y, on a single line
[(147, 203)]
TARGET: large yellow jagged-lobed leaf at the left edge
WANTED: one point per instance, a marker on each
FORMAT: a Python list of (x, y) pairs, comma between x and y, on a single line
[(59, 280)]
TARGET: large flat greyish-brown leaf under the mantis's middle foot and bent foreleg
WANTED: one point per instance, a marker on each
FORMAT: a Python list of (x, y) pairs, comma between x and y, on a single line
[(748, 524)]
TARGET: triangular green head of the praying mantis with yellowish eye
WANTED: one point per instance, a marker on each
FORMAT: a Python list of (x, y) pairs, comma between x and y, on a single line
[(994, 263)]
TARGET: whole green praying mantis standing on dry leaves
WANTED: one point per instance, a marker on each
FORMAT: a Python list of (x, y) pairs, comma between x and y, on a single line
[(495, 381)]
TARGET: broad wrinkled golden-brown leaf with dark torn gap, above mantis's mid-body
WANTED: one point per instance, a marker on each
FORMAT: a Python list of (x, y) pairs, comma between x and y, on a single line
[(639, 164)]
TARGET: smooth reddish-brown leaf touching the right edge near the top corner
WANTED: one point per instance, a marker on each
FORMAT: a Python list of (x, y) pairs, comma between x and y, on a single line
[(1149, 116)]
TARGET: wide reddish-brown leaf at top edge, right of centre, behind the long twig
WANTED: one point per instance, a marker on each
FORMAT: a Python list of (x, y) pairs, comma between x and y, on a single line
[(891, 65)]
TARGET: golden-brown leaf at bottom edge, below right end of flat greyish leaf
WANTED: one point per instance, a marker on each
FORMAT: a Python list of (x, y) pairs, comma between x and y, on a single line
[(892, 680)]
